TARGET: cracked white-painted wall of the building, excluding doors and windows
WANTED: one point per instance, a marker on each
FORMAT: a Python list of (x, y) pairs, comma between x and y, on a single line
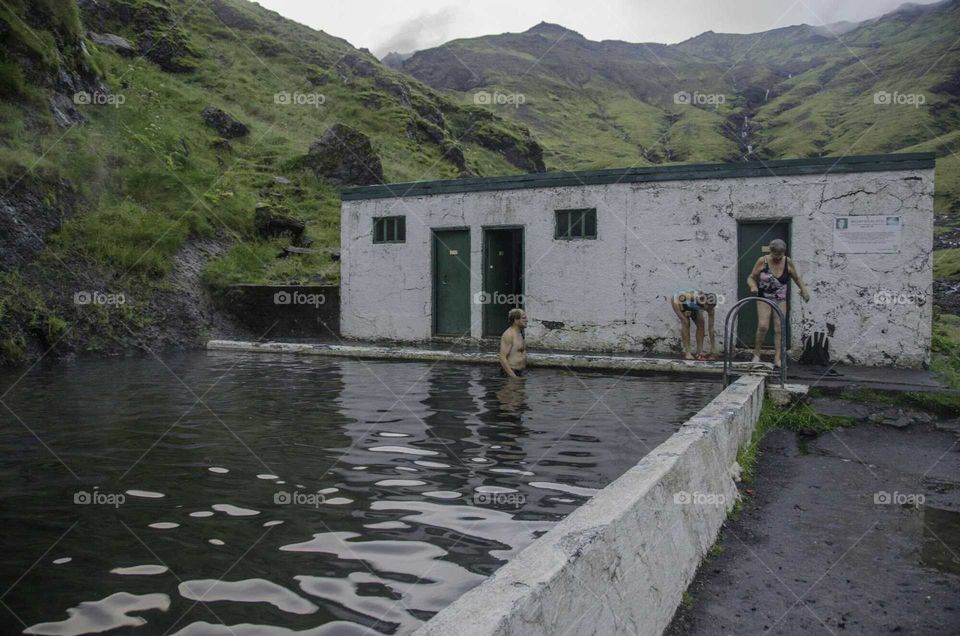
[(654, 238)]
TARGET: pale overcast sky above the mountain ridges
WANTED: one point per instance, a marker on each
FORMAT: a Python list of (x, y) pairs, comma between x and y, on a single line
[(409, 25)]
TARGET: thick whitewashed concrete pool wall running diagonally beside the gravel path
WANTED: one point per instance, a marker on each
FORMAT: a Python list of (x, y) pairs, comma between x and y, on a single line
[(622, 561)]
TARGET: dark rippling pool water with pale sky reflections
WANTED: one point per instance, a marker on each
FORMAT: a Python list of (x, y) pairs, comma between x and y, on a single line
[(282, 495)]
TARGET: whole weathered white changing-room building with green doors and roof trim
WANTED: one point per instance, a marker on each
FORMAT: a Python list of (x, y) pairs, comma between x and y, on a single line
[(594, 256)]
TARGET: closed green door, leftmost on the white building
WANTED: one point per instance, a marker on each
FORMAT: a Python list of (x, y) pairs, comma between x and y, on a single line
[(451, 282)]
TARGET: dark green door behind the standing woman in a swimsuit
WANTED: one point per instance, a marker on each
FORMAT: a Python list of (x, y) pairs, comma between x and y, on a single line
[(752, 241)]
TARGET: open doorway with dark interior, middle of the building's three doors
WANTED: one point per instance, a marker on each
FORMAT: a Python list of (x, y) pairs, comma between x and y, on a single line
[(502, 277)]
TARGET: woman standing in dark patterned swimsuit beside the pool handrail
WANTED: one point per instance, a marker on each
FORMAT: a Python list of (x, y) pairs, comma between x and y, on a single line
[(770, 279)]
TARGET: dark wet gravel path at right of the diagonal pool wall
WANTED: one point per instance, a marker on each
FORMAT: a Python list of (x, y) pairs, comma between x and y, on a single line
[(819, 550)]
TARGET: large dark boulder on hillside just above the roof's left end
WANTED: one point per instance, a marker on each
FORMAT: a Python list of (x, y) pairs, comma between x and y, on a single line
[(345, 156)]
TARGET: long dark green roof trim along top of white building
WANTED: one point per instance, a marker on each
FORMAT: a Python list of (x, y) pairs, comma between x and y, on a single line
[(681, 172)]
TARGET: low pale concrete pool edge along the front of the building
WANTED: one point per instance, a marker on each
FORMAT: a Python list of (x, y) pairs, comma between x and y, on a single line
[(585, 360)]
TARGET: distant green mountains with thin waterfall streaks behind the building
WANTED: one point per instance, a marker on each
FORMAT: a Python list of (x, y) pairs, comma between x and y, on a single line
[(790, 92)]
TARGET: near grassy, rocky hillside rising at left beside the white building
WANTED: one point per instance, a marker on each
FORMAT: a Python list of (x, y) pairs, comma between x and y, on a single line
[(138, 139)]
